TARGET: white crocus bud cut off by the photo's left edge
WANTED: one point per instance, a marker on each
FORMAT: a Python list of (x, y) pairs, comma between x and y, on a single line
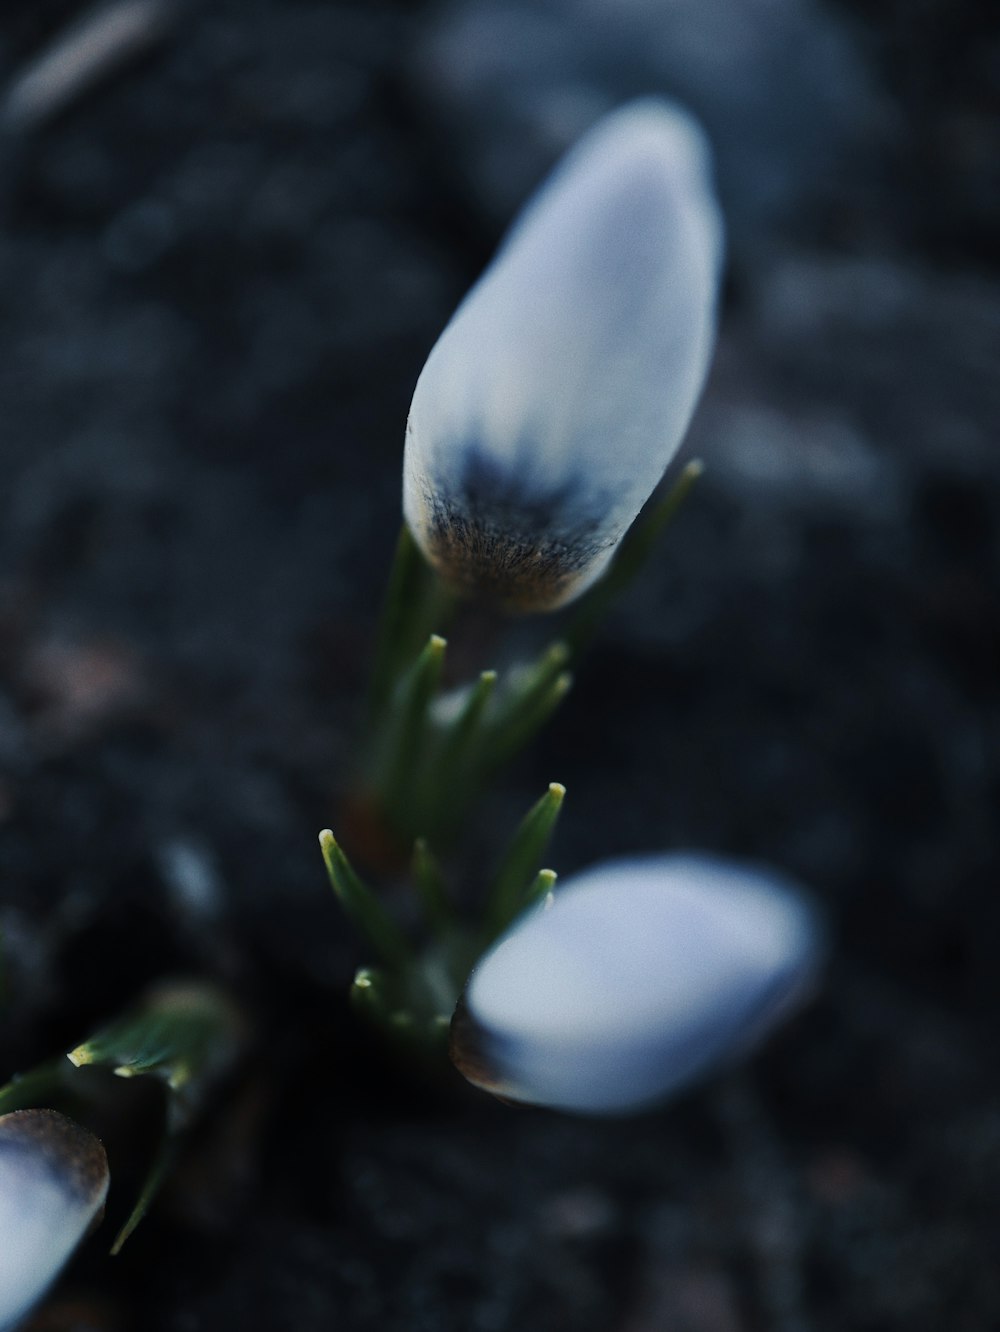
[(54, 1178)]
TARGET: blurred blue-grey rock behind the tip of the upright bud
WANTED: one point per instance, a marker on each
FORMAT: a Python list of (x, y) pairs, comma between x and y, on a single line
[(781, 86)]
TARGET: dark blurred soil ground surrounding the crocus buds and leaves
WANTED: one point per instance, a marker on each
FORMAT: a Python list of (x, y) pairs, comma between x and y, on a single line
[(230, 235)]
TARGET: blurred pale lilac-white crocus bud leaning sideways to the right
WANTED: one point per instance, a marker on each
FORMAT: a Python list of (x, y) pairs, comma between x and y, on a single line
[(642, 976)]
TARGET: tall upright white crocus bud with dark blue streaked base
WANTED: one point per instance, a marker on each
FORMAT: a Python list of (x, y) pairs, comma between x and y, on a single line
[(555, 400)]
